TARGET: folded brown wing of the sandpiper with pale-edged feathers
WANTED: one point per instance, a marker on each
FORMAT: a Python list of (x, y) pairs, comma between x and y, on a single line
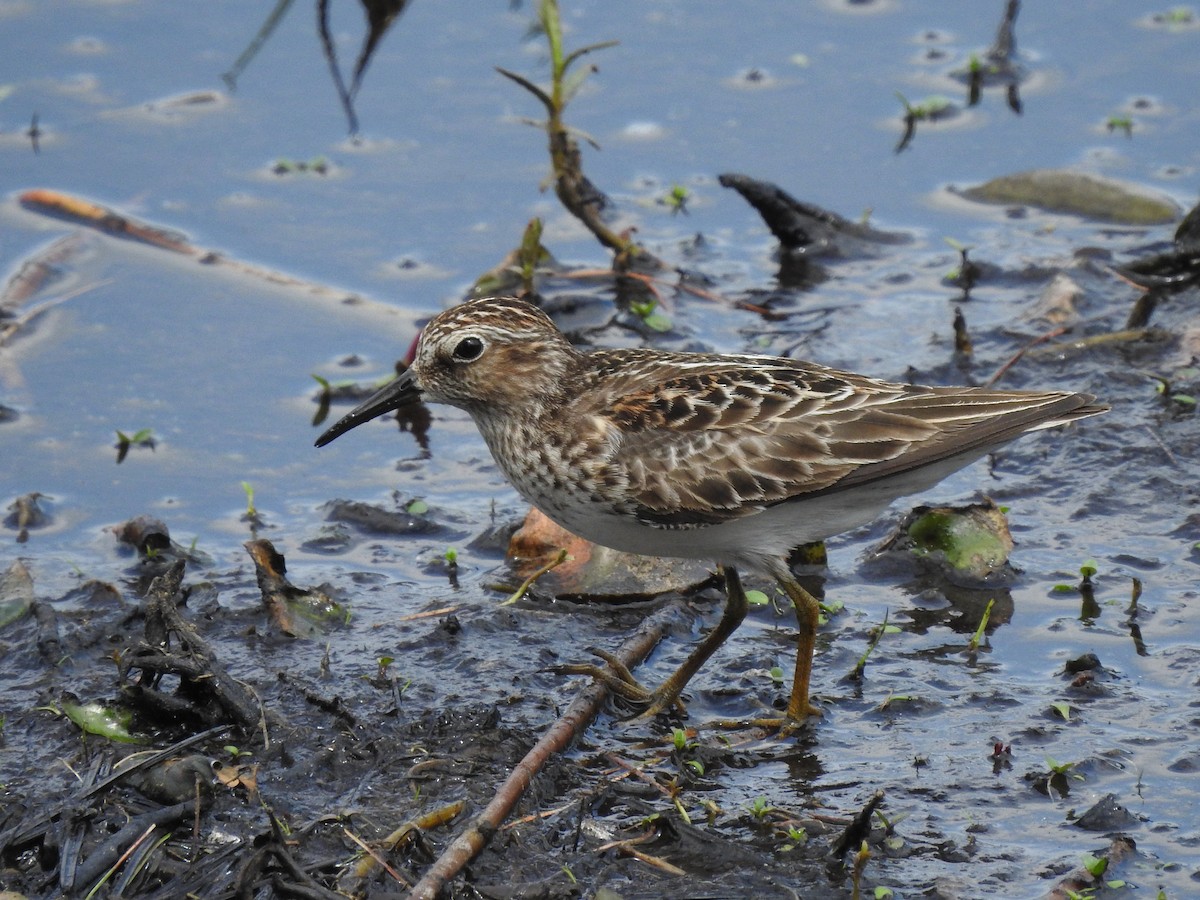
[(718, 440)]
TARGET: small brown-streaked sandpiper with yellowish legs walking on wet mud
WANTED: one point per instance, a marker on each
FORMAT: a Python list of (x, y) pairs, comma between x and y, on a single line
[(733, 459)]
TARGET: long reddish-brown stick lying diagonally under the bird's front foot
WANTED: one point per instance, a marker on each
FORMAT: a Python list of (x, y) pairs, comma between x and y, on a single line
[(560, 736)]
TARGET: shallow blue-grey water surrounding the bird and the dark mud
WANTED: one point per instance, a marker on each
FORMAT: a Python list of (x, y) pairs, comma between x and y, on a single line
[(437, 191)]
